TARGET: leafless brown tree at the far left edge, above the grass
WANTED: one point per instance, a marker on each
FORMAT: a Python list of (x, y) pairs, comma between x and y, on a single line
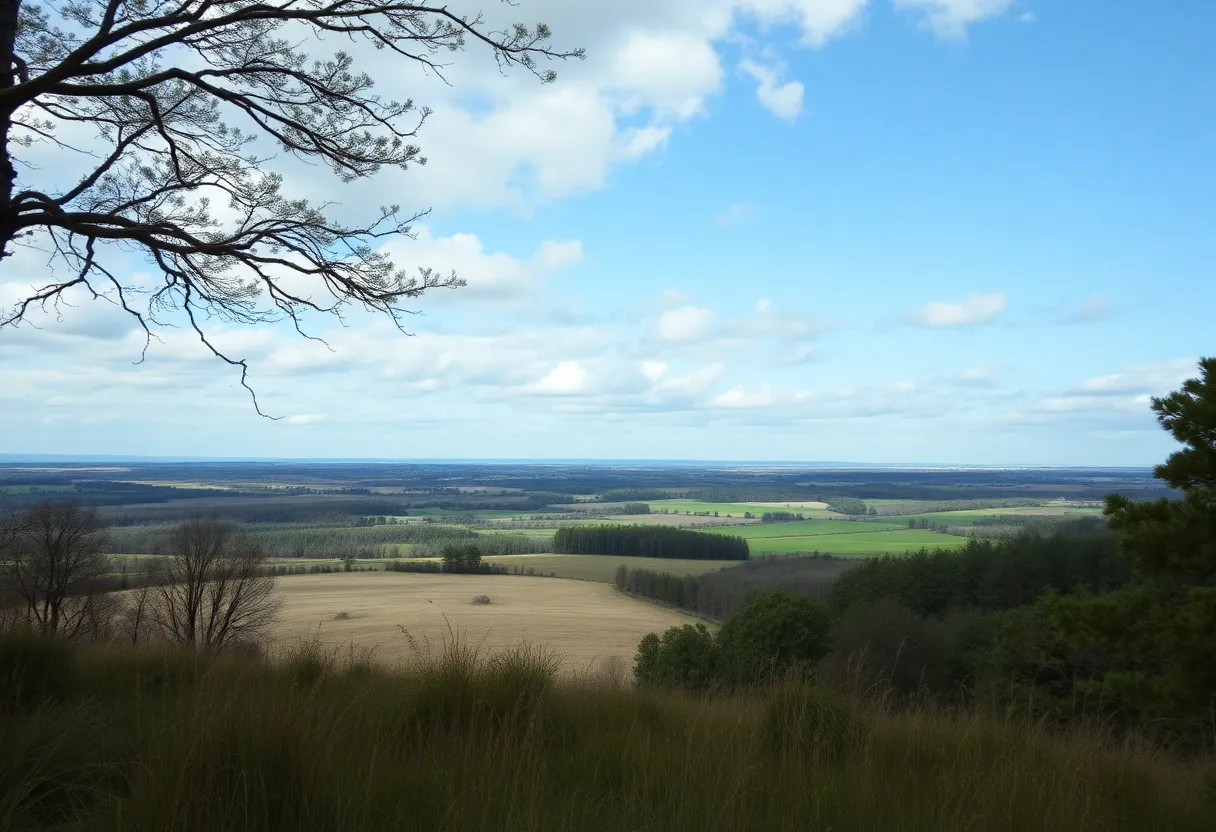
[(54, 565)]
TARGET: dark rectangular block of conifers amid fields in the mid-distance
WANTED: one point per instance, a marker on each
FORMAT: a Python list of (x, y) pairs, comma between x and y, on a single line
[(649, 542)]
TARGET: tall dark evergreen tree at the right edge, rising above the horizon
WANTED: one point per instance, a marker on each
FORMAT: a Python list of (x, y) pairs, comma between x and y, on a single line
[(1159, 634)]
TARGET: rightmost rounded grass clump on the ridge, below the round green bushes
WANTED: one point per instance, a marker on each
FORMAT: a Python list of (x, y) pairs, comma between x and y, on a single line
[(804, 721)]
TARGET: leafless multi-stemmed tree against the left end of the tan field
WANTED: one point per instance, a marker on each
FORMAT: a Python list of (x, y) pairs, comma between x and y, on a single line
[(216, 589)]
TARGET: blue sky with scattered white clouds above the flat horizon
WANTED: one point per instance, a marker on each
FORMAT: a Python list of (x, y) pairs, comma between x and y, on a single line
[(967, 232)]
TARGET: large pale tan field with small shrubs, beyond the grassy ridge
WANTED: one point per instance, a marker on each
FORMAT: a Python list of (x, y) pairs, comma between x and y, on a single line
[(587, 623)]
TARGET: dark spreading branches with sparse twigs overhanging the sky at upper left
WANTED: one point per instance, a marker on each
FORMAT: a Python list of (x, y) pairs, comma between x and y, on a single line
[(161, 103)]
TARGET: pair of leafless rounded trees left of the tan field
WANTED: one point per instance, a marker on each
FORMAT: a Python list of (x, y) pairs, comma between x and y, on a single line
[(215, 589)]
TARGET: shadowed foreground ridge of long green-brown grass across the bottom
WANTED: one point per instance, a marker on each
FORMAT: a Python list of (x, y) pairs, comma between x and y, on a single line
[(144, 741)]
